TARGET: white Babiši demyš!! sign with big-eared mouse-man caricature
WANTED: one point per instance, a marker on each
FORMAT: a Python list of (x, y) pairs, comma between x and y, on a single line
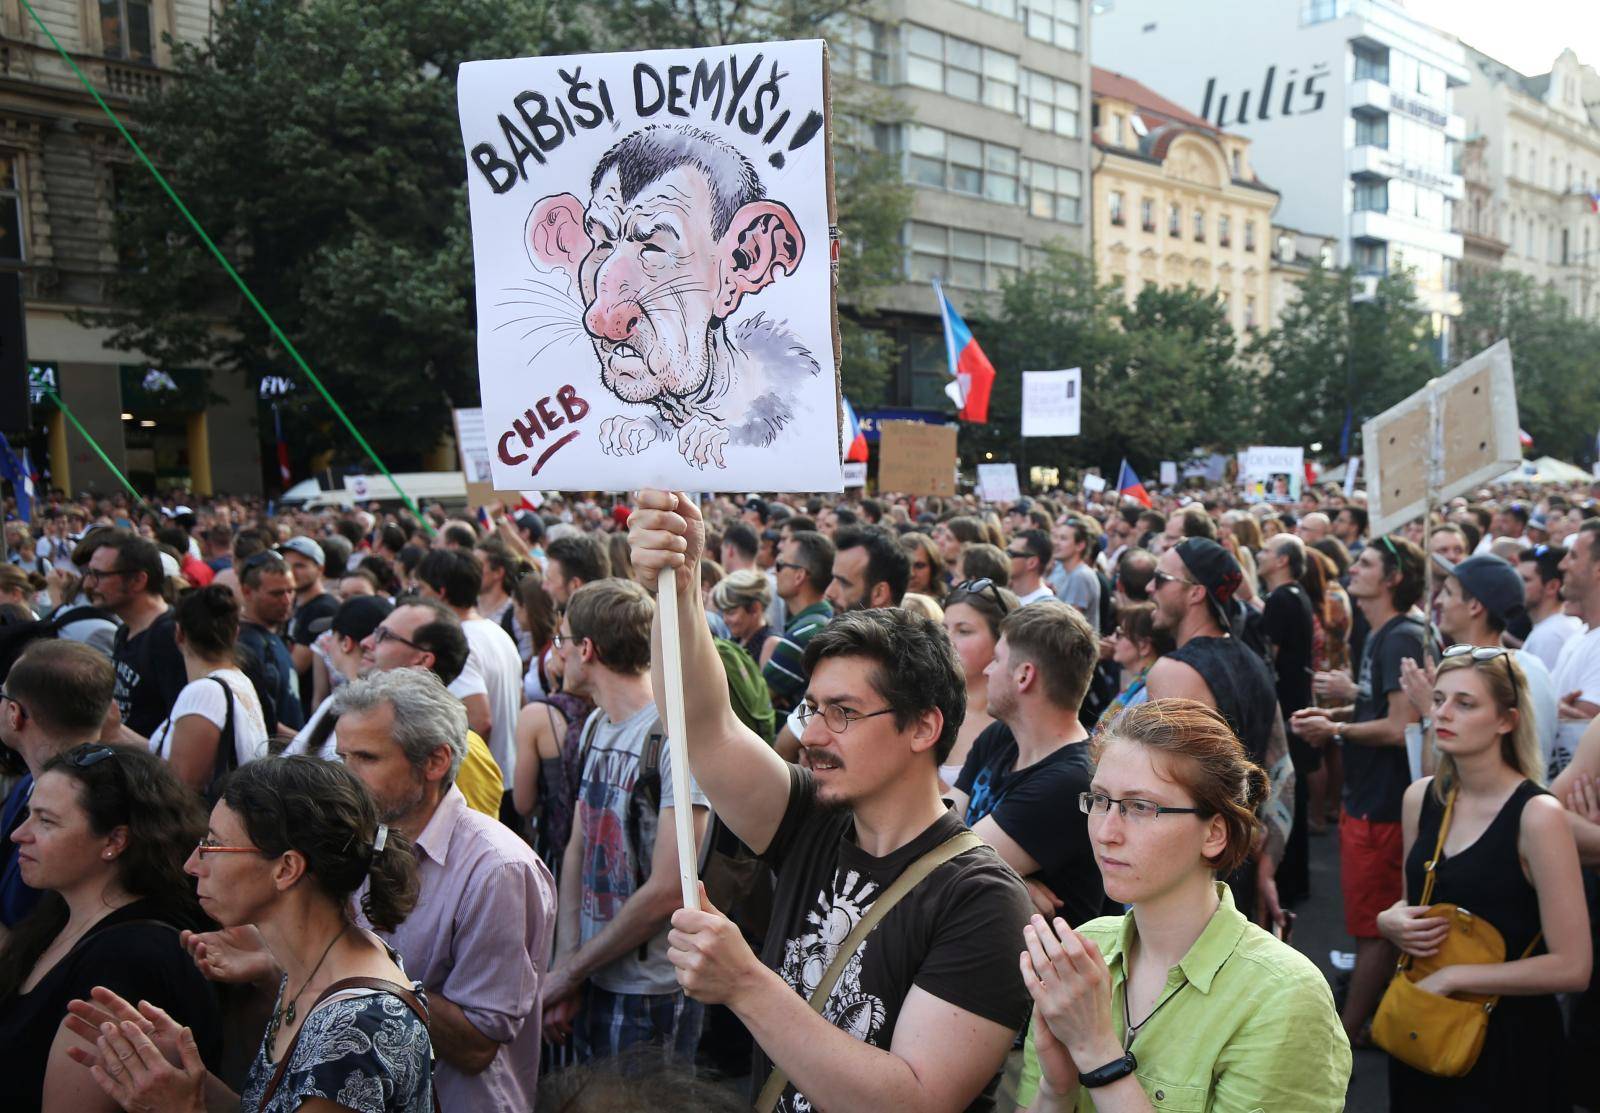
[(655, 289)]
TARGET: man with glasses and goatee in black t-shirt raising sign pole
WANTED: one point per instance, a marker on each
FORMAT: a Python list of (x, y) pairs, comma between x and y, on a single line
[(924, 1010)]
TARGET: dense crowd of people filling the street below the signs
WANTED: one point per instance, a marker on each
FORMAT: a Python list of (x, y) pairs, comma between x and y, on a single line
[(994, 807)]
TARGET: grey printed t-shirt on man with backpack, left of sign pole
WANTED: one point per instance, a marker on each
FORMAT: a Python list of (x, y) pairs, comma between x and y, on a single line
[(618, 834)]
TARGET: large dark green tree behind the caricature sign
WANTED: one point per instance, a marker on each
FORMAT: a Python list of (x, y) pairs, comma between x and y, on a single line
[(318, 143)]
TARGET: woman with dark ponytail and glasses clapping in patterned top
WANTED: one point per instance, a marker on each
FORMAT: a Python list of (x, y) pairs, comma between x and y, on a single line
[(289, 847)]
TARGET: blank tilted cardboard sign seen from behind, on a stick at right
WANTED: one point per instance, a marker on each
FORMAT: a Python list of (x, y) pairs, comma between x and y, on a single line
[(1454, 434)]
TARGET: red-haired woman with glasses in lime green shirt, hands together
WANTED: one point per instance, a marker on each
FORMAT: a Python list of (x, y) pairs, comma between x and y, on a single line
[(1182, 1003)]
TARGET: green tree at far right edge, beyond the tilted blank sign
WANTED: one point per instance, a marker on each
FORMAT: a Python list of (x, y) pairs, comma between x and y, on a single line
[(1554, 357)]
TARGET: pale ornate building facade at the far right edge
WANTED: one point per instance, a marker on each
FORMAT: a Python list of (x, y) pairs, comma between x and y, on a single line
[(1537, 162)]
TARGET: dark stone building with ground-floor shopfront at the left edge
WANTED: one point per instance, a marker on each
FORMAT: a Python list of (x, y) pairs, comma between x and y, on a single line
[(60, 166)]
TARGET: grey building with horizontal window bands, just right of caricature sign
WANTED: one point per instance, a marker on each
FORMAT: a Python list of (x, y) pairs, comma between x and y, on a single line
[(994, 138)]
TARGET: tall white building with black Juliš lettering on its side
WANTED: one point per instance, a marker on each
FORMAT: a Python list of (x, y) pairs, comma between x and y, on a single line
[(1348, 108)]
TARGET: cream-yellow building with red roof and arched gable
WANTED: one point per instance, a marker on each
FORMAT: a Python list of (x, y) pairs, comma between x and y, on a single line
[(1177, 202)]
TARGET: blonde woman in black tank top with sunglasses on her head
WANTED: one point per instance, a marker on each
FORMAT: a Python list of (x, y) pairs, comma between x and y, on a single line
[(1510, 858)]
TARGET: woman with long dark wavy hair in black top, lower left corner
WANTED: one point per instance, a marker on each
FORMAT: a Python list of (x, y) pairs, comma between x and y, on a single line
[(108, 831)]
